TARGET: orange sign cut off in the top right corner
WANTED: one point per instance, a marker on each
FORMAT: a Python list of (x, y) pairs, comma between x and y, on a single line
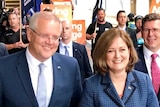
[(155, 6)]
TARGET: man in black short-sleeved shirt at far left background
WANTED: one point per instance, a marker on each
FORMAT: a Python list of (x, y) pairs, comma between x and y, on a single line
[(11, 37)]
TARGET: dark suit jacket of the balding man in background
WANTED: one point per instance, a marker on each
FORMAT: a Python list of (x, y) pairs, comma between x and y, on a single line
[(80, 53)]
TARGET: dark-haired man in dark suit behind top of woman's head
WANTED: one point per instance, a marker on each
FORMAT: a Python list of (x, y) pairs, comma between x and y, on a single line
[(122, 20)]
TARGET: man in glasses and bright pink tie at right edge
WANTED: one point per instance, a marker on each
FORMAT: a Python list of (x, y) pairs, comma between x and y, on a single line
[(151, 36)]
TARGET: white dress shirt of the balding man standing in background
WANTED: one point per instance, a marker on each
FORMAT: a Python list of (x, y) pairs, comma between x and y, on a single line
[(69, 48)]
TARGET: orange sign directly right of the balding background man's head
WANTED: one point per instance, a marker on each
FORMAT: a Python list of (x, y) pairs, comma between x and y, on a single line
[(79, 33)]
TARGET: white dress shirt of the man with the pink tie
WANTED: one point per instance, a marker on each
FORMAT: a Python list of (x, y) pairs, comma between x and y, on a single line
[(148, 59)]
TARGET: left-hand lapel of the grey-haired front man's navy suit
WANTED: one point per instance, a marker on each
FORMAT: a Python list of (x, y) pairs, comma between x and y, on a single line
[(25, 78)]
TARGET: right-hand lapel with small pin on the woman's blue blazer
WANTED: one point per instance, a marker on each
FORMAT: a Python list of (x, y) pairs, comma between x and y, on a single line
[(130, 87)]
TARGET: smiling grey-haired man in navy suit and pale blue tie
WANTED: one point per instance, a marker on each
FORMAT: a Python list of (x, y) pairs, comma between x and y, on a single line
[(20, 76)]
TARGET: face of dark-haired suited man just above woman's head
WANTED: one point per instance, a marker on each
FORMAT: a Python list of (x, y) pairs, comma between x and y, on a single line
[(122, 19)]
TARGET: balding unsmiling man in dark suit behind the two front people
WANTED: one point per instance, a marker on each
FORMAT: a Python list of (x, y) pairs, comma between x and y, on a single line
[(75, 49)]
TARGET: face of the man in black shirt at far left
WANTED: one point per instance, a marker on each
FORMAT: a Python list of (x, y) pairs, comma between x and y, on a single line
[(13, 20)]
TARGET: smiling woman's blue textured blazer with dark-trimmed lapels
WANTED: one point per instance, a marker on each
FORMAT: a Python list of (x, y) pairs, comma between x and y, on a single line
[(99, 91)]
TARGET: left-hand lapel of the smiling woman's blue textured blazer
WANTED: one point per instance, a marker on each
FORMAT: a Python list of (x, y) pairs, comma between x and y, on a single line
[(110, 90)]
